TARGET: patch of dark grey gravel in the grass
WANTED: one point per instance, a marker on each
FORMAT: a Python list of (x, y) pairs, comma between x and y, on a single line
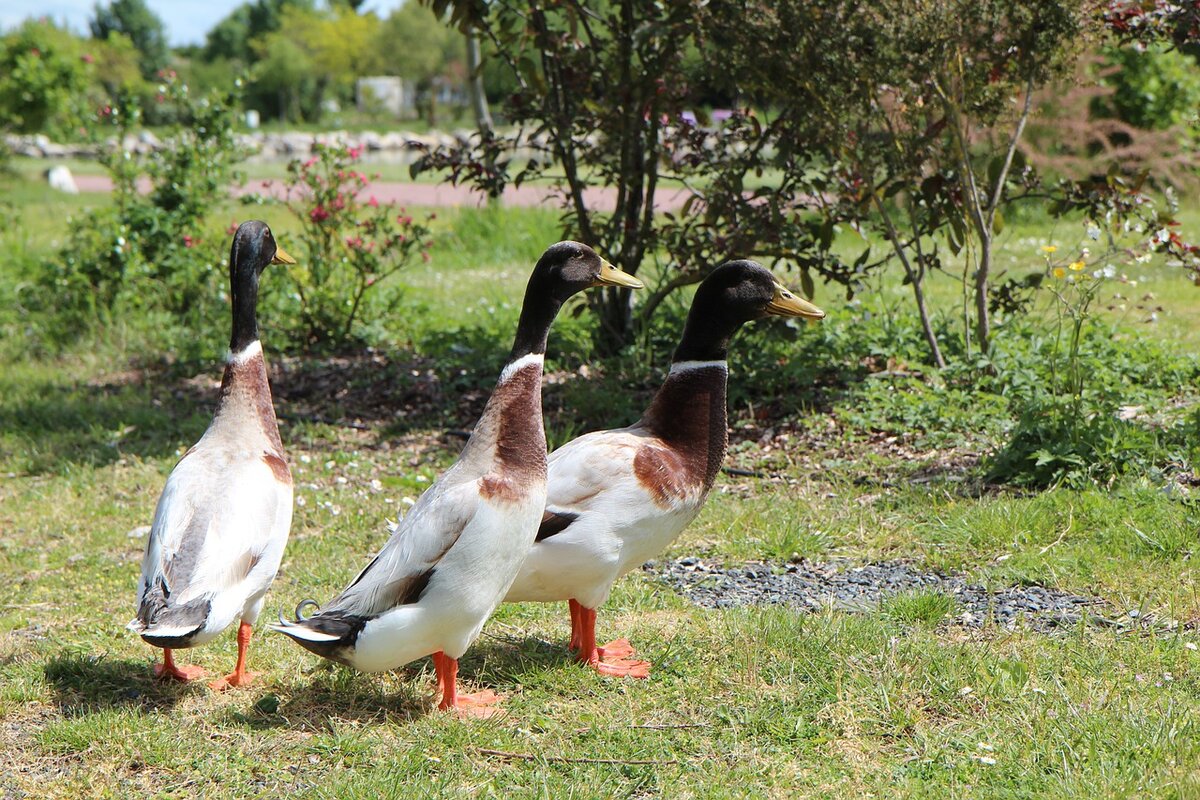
[(847, 586)]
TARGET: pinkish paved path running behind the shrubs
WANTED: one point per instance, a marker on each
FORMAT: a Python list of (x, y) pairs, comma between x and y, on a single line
[(433, 195)]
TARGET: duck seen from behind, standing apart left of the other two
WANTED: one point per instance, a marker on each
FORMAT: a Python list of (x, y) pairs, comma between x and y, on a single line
[(224, 518)]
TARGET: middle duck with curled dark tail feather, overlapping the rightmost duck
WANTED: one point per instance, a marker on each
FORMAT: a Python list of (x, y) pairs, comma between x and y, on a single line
[(449, 562)]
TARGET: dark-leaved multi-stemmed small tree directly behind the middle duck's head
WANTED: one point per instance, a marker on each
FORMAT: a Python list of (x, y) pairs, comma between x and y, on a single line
[(598, 89)]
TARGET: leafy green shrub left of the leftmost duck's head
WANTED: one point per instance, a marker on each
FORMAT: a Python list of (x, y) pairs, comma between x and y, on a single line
[(149, 251)]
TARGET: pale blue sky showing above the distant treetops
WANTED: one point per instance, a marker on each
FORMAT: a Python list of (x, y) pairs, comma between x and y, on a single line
[(188, 21)]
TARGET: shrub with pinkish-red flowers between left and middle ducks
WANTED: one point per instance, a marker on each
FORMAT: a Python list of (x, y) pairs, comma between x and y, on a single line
[(351, 246)]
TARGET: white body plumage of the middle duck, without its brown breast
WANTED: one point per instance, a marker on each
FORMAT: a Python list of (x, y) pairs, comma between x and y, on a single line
[(467, 540)]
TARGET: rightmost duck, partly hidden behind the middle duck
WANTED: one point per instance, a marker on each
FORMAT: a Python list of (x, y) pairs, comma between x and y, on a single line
[(619, 498)]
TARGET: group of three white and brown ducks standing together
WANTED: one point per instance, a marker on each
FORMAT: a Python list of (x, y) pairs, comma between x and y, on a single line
[(506, 524)]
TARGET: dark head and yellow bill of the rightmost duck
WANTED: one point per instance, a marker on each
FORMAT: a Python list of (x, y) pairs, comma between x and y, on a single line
[(734, 294)]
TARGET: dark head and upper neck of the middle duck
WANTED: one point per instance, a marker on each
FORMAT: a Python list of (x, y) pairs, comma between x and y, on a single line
[(566, 269)]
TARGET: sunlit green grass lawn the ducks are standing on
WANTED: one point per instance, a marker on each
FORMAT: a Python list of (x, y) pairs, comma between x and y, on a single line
[(757, 702)]
